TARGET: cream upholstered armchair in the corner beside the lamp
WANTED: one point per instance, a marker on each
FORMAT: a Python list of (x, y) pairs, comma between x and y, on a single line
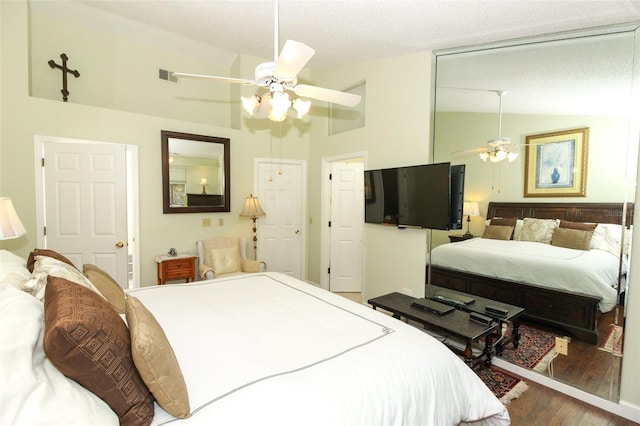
[(223, 256)]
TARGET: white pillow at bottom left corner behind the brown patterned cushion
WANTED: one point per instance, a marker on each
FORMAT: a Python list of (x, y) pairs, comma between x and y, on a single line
[(32, 389)]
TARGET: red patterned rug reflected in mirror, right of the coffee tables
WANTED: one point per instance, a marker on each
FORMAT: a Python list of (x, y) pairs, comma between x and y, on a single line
[(535, 351)]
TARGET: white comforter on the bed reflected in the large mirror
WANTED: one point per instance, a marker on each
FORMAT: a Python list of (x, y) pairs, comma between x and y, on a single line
[(592, 272)]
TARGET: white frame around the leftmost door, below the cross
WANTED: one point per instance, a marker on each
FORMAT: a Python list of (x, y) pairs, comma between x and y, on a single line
[(133, 196)]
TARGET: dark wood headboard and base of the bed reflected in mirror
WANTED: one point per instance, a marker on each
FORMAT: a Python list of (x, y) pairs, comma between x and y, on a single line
[(574, 313)]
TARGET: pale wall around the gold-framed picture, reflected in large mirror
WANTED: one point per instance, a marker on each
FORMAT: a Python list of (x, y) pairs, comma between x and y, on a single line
[(485, 182)]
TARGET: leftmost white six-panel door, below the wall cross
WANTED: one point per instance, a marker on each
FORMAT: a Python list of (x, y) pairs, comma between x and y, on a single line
[(86, 204)]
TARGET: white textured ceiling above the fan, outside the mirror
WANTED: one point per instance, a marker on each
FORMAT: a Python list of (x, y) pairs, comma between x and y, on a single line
[(350, 30)]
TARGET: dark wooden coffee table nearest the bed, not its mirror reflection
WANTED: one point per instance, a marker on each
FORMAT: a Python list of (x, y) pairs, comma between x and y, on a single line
[(456, 324)]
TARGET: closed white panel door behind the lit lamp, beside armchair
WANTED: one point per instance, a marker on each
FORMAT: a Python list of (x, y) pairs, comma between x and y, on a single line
[(281, 239)]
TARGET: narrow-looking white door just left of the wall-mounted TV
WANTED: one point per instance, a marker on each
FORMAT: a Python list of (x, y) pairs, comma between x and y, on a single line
[(347, 217)]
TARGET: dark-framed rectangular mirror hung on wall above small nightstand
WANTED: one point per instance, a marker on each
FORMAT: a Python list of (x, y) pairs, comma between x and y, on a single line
[(195, 173)]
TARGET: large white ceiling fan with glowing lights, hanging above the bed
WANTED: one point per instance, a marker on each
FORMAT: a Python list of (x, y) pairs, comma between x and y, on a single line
[(280, 77)]
